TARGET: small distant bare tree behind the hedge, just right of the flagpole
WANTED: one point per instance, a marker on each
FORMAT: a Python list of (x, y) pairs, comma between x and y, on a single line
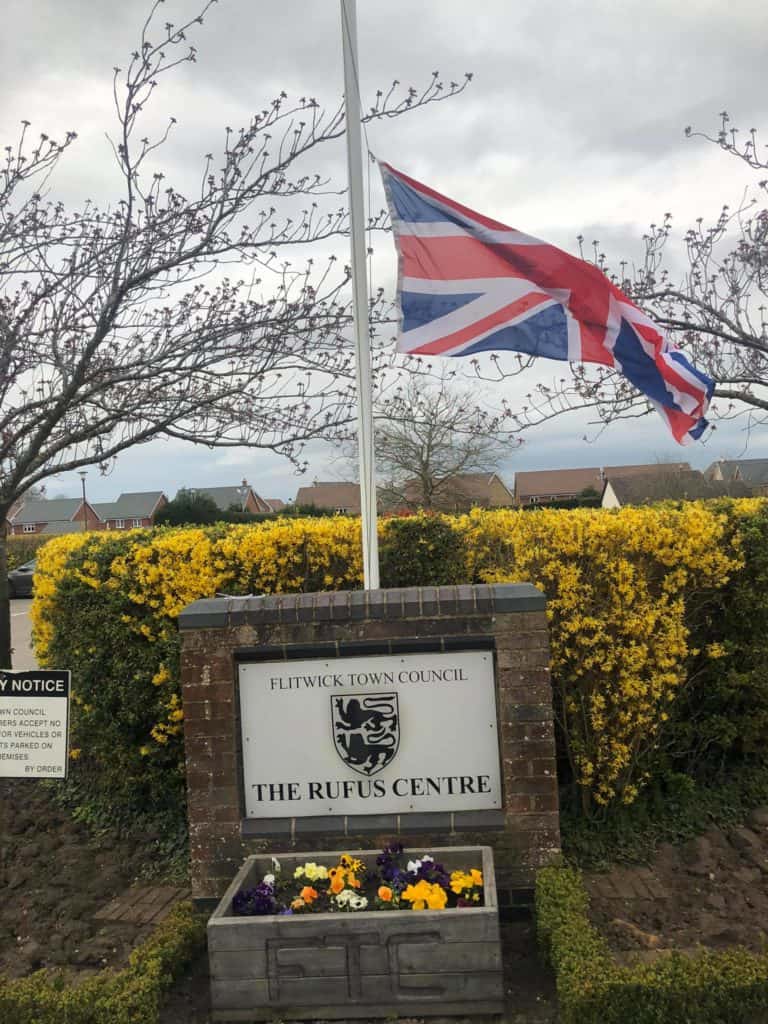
[(429, 436)]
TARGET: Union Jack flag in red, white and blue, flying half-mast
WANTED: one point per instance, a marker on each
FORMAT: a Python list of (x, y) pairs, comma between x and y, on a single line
[(470, 284)]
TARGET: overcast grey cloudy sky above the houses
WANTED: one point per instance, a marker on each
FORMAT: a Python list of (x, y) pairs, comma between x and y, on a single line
[(574, 124)]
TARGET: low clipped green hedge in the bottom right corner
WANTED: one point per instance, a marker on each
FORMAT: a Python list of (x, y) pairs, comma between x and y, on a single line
[(710, 989)]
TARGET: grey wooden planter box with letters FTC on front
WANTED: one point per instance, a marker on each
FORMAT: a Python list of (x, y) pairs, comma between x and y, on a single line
[(362, 965)]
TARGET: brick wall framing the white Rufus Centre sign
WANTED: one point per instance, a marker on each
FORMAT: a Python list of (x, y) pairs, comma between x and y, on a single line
[(507, 622)]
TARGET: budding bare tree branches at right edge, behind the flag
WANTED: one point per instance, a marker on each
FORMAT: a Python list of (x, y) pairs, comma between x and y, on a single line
[(716, 310)]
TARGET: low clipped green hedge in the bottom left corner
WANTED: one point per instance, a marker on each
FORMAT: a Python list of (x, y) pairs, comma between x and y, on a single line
[(130, 997)]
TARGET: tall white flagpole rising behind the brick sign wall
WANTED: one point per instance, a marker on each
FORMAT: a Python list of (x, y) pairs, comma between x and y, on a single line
[(360, 294)]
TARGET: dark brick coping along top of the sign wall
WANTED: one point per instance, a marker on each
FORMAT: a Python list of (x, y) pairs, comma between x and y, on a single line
[(408, 603)]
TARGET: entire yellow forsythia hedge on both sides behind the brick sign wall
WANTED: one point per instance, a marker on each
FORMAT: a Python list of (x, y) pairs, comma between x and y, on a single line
[(622, 588)]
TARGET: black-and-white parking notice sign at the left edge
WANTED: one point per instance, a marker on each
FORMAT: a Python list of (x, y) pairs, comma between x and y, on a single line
[(34, 723)]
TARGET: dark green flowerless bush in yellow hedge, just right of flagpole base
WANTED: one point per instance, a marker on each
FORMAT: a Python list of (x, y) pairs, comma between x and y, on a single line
[(422, 551)]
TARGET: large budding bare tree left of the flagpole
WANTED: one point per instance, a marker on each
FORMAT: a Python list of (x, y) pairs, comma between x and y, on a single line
[(120, 324)]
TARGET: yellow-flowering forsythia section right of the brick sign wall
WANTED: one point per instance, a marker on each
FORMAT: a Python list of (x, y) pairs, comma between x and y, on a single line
[(618, 587)]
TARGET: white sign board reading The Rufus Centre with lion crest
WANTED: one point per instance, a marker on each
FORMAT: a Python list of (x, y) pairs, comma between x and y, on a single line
[(370, 736)]
